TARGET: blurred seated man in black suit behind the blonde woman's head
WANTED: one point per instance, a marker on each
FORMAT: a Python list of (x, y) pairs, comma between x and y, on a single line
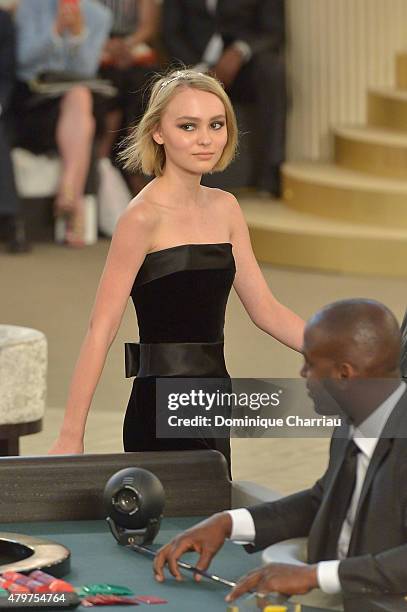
[(242, 42)]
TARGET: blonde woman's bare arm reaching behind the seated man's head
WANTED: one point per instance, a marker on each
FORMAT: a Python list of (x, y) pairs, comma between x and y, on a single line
[(264, 310)]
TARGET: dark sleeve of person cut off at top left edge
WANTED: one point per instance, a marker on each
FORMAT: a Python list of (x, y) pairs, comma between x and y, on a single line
[(7, 59)]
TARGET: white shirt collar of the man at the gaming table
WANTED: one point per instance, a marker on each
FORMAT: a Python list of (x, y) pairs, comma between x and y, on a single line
[(367, 434)]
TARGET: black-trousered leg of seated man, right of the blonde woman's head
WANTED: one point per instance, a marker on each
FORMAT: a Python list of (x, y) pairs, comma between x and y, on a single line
[(262, 81)]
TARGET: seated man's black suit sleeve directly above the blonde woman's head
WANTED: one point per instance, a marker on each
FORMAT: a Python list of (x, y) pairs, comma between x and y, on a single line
[(176, 43)]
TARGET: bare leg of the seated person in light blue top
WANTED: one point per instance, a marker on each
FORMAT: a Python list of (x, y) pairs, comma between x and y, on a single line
[(74, 136)]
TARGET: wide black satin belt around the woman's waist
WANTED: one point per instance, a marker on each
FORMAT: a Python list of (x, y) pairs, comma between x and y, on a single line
[(176, 359)]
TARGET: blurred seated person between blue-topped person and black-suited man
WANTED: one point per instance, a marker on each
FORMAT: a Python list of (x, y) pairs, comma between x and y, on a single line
[(129, 60)]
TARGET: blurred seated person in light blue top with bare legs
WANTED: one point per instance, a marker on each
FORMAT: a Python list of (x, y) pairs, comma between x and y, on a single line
[(58, 40)]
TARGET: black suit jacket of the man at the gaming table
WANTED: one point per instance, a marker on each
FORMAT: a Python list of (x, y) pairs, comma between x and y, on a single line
[(377, 558)]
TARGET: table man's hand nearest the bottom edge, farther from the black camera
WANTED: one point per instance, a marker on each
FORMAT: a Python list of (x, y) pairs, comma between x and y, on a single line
[(279, 578)]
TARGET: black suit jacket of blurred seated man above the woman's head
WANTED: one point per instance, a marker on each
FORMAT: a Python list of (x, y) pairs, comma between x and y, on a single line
[(187, 26)]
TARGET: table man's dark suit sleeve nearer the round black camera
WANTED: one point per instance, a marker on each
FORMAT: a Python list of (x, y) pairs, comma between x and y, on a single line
[(289, 517)]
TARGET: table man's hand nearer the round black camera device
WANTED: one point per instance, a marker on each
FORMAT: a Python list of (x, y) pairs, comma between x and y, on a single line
[(206, 538)]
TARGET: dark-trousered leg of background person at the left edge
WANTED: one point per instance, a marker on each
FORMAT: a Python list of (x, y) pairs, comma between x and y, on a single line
[(10, 205)]
